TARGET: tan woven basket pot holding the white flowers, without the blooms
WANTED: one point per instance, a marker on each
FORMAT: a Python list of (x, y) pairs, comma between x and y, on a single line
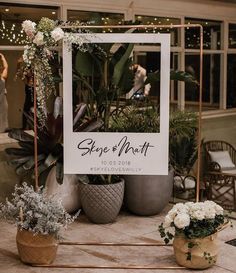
[(201, 245)]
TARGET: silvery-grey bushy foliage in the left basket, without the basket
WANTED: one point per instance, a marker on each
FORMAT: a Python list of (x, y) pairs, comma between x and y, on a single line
[(35, 212)]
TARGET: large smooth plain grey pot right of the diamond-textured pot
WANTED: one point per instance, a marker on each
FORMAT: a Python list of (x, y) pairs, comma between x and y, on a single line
[(148, 194)]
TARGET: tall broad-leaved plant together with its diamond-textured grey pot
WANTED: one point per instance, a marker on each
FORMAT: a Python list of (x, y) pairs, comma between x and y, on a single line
[(102, 74)]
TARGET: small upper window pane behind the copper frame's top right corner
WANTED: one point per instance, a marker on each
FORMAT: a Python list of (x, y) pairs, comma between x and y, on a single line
[(211, 34)]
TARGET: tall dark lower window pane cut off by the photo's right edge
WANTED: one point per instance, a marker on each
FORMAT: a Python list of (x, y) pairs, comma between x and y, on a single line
[(231, 81)]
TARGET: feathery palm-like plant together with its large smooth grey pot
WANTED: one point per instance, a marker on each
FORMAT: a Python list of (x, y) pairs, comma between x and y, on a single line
[(149, 194)]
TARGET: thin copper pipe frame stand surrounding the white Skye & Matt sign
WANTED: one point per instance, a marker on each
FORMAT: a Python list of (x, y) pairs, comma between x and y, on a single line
[(148, 267)]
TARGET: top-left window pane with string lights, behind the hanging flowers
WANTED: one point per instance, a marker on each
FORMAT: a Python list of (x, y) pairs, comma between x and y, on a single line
[(12, 18)]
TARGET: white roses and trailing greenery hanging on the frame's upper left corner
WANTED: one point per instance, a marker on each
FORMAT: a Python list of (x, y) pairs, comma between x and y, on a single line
[(42, 38)]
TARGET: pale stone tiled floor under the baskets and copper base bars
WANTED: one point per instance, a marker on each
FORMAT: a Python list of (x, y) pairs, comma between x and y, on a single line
[(127, 228)]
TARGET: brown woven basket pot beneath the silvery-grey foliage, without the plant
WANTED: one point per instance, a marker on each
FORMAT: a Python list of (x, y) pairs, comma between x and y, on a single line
[(36, 248)]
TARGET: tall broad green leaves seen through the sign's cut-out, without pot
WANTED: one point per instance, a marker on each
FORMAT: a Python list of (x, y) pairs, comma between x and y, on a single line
[(102, 75)]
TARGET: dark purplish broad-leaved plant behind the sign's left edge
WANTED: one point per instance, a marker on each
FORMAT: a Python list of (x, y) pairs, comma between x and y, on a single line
[(50, 148)]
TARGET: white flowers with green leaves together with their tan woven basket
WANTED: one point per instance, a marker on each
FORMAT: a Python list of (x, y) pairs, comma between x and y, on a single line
[(194, 227)]
